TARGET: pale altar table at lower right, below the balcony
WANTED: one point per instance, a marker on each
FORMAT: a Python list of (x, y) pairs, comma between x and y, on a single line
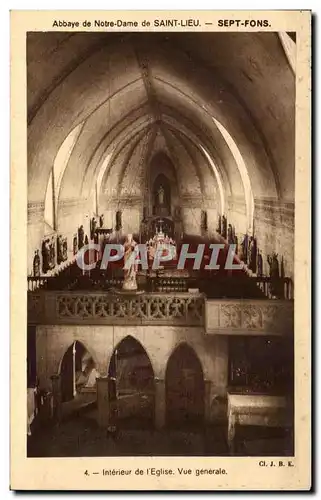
[(255, 410)]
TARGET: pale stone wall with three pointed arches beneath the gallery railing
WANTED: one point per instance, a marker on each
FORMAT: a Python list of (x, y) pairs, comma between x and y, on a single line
[(159, 343)]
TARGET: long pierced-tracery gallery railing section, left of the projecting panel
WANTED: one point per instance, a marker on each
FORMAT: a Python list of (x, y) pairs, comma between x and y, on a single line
[(49, 307)]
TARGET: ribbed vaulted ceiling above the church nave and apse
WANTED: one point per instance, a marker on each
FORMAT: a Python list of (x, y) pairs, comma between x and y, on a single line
[(135, 95)]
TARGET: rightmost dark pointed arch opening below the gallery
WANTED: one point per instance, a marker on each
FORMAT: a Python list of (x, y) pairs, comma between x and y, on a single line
[(184, 388)]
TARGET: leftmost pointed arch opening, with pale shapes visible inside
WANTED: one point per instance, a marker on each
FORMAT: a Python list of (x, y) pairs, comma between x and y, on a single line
[(78, 373)]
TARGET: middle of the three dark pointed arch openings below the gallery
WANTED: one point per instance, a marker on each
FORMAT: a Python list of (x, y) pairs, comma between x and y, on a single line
[(131, 389)]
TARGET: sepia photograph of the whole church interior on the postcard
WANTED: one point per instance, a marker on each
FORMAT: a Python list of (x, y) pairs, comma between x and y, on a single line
[(160, 138)]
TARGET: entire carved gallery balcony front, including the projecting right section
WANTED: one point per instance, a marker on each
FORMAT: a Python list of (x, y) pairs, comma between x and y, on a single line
[(217, 316)]
